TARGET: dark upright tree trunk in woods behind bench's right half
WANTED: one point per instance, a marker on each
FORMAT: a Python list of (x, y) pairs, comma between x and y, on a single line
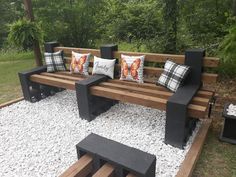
[(170, 20)]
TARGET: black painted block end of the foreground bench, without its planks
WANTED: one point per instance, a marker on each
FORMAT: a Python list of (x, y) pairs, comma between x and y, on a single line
[(125, 159)]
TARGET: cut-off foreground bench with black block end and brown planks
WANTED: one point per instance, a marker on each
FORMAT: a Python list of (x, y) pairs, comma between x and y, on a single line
[(101, 157)]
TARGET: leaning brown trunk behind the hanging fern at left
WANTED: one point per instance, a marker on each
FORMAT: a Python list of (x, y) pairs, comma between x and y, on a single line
[(36, 46)]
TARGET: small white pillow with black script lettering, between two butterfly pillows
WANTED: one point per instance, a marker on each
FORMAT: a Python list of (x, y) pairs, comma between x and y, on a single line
[(104, 66)]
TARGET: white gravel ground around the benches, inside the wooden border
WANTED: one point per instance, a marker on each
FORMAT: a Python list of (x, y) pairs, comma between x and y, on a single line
[(39, 139)]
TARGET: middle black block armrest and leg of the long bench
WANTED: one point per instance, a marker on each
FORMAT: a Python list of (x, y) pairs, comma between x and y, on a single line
[(89, 105)]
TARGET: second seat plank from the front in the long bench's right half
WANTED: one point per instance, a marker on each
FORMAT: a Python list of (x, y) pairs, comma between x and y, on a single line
[(152, 92)]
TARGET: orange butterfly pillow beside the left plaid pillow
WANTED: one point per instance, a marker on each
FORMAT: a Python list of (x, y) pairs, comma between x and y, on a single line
[(80, 63)]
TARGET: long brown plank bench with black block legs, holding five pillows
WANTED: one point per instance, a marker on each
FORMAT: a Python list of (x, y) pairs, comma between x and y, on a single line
[(98, 93)]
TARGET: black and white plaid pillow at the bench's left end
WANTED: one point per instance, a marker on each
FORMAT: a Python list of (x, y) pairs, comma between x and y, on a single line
[(55, 61)]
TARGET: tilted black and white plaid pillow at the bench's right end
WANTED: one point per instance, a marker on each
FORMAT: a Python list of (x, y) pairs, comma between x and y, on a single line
[(173, 75)]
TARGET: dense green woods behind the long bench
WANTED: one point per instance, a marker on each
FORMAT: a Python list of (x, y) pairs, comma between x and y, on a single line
[(168, 26)]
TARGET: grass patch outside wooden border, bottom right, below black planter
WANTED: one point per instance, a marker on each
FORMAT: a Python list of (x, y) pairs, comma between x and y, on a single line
[(218, 159)]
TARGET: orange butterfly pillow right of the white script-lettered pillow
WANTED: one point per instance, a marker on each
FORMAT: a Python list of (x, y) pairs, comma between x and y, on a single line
[(132, 68)]
